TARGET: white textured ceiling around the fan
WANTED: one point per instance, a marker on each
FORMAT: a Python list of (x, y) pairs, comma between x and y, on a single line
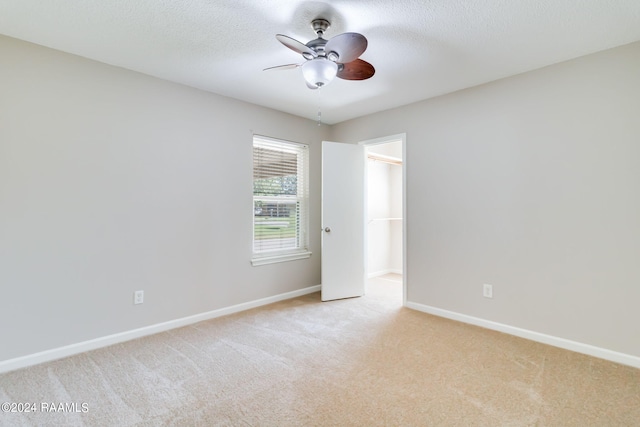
[(420, 48)]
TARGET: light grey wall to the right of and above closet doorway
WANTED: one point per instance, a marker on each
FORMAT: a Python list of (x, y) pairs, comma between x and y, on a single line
[(531, 184)]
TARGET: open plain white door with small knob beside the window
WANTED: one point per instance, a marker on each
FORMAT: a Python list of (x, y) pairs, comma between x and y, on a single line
[(343, 261)]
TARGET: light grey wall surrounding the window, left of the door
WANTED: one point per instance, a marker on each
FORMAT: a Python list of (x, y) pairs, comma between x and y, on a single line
[(112, 181)]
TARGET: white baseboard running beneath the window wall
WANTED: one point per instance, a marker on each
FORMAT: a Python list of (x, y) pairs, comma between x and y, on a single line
[(70, 350)]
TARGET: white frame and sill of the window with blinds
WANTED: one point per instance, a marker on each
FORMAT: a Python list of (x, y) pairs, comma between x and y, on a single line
[(301, 249)]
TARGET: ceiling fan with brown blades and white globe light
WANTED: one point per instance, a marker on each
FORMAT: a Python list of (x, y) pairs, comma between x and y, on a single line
[(326, 59)]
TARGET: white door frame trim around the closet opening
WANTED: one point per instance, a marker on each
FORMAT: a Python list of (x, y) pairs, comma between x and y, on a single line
[(378, 141)]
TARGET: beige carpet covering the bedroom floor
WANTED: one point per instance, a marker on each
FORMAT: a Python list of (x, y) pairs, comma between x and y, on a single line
[(361, 362)]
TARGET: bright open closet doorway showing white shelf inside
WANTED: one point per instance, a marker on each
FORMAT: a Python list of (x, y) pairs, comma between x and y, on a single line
[(384, 183)]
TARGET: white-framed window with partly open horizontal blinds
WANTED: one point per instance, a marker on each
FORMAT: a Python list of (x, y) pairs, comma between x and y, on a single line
[(280, 201)]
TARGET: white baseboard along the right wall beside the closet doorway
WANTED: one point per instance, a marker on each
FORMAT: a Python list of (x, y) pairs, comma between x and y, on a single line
[(602, 353)]
